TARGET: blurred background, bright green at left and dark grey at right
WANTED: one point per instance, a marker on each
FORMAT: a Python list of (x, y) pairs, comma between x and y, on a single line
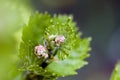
[(99, 19)]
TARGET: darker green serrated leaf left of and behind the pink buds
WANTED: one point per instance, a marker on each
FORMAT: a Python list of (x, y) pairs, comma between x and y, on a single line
[(33, 35)]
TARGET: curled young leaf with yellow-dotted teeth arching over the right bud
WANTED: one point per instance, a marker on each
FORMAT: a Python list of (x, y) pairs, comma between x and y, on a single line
[(63, 25)]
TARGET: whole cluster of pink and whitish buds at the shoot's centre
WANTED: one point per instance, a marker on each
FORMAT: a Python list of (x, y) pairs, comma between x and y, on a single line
[(43, 51)]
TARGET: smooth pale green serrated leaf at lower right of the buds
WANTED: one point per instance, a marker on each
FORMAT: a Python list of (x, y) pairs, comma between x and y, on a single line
[(74, 61)]
